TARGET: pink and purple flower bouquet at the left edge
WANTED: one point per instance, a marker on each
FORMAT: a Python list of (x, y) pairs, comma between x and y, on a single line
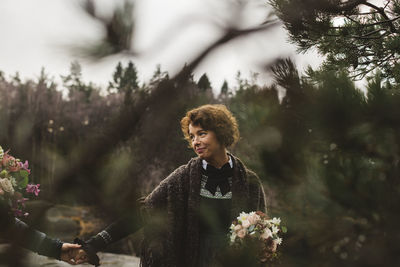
[(14, 182)]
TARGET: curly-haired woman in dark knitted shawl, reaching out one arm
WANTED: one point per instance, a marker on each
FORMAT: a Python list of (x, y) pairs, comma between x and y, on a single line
[(187, 216)]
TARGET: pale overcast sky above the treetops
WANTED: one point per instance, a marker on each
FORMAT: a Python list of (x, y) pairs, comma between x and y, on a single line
[(40, 33)]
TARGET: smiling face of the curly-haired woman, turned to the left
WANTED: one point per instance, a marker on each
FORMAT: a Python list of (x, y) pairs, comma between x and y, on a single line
[(205, 143)]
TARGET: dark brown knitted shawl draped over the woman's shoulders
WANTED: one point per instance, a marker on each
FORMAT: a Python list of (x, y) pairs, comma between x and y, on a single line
[(171, 211)]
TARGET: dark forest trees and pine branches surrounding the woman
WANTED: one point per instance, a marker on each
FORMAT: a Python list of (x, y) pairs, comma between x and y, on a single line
[(327, 152)]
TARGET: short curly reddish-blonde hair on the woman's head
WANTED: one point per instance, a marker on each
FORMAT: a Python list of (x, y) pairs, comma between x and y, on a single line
[(216, 118)]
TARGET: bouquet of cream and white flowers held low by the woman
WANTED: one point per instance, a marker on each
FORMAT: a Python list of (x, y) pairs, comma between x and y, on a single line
[(260, 232)]
